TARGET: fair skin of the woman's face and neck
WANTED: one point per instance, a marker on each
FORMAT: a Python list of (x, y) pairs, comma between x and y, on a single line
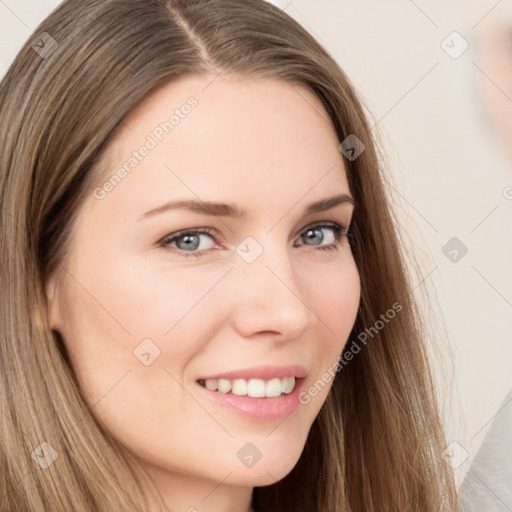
[(271, 149)]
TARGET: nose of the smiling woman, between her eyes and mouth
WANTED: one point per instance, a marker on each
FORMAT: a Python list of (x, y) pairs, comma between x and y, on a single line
[(270, 297)]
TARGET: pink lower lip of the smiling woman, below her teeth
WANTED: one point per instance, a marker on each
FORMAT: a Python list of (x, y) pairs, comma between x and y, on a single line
[(258, 408)]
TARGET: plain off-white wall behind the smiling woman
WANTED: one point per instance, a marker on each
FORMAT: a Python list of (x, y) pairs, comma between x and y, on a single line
[(449, 168)]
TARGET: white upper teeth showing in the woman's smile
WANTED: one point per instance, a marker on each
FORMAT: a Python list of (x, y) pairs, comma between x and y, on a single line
[(255, 388)]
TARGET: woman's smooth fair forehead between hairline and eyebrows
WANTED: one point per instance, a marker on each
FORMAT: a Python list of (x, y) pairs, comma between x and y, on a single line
[(213, 137)]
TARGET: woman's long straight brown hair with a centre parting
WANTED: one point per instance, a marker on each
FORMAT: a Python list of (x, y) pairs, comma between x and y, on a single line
[(375, 445)]
